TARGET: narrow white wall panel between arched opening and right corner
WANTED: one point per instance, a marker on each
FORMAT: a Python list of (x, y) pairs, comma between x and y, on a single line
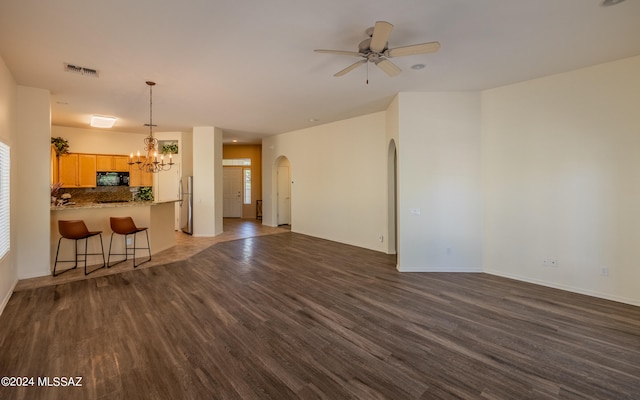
[(439, 175)]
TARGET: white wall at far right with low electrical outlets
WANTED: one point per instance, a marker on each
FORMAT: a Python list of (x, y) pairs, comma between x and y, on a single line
[(561, 158)]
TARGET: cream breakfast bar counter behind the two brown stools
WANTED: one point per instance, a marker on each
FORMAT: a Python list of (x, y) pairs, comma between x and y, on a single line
[(158, 217)]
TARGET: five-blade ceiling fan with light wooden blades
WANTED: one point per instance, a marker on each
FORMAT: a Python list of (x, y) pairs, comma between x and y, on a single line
[(375, 50)]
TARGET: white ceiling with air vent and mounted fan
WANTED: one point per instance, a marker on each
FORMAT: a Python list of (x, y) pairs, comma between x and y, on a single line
[(249, 67)]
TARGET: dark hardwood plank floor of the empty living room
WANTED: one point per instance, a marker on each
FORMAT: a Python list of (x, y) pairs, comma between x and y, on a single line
[(288, 316)]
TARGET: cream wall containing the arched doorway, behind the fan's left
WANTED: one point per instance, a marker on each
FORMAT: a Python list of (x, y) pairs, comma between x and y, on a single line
[(339, 174)]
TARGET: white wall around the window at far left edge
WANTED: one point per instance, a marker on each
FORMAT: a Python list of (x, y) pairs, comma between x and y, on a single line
[(8, 133)]
